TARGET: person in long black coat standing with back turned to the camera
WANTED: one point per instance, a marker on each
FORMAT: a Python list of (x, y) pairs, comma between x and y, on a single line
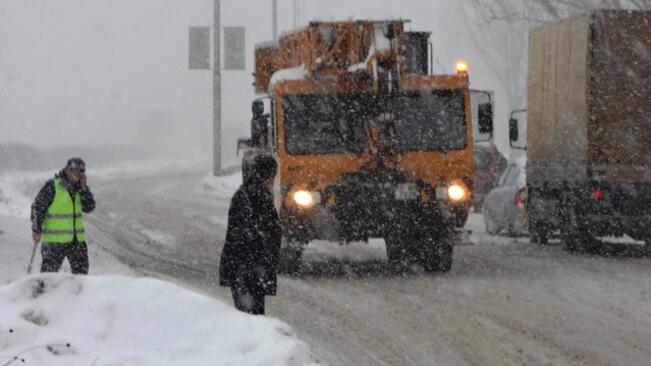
[(249, 261)]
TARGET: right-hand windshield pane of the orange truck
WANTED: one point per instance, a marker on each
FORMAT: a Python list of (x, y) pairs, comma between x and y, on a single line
[(431, 120)]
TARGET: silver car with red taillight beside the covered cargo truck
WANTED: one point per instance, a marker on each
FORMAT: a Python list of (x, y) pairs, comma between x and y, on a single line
[(504, 206)]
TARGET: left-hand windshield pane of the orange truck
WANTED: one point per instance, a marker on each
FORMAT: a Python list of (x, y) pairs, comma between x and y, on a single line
[(323, 124)]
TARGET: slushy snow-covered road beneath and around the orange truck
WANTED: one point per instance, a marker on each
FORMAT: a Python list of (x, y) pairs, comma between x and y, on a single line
[(505, 302)]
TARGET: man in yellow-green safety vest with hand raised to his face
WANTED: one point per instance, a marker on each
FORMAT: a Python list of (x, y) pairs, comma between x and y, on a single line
[(57, 218)]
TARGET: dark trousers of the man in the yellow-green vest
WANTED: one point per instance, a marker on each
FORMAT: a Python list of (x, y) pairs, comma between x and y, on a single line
[(54, 254)]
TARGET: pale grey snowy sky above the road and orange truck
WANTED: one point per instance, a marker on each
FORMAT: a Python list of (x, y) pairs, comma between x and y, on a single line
[(101, 72)]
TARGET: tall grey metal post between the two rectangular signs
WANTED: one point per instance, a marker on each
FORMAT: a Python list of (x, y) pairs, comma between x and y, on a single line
[(216, 87)]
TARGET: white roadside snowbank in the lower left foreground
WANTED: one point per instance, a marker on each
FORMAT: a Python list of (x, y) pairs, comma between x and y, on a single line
[(62, 319)]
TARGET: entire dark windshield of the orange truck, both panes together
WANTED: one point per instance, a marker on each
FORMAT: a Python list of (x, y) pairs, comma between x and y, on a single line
[(335, 123)]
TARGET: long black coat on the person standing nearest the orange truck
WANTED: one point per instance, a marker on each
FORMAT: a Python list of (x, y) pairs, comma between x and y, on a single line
[(252, 245)]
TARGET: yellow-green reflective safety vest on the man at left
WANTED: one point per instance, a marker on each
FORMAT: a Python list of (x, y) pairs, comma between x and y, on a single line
[(63, 218)]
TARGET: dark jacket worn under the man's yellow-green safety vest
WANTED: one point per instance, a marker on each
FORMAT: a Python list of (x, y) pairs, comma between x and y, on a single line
[(46, 195)]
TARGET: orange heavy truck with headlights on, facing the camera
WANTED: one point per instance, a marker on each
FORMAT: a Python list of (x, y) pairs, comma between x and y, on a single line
[(368, 143)]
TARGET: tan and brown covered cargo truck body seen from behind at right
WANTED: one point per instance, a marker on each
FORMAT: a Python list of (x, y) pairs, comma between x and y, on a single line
[(589, 128)]
